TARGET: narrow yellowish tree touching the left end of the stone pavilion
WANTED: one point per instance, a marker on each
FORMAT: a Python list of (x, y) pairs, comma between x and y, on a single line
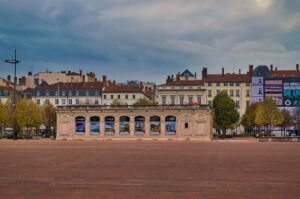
[(48, 112)]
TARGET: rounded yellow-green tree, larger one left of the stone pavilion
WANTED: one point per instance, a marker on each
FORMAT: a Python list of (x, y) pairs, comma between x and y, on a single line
[(27, 115)]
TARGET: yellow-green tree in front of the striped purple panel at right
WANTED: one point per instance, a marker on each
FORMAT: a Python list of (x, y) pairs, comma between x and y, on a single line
[(268, 114)]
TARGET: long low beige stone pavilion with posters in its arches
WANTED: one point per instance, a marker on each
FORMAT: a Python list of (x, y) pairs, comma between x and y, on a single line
[(155, 122)]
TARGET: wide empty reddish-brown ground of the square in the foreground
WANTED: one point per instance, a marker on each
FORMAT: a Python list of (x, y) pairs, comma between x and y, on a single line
[(149, 169)]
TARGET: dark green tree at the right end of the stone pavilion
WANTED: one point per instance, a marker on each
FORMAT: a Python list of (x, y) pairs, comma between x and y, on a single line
[(224, 112)]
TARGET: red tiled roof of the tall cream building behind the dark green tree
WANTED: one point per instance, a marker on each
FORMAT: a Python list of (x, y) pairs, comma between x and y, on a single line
[(229, 78)]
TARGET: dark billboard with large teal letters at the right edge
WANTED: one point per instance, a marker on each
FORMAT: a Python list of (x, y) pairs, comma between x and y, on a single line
[(291, 93)]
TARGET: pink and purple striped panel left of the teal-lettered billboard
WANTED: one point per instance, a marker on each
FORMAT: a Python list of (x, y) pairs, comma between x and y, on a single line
[(274, 89)]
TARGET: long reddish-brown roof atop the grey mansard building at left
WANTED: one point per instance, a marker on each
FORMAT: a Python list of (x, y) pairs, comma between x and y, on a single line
[(73, 85)]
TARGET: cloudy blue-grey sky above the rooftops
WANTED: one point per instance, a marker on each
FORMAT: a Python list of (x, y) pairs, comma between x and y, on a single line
[(148, 39)]
